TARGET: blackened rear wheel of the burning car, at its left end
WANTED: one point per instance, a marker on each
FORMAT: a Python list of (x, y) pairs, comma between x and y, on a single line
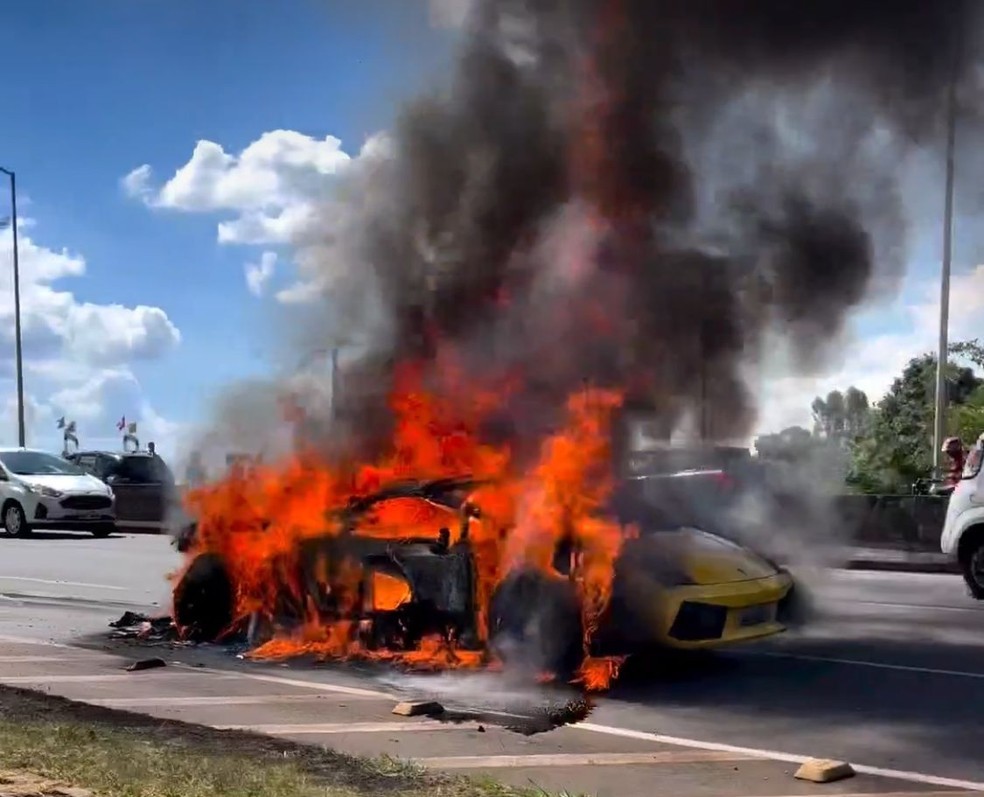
[(204, 600)]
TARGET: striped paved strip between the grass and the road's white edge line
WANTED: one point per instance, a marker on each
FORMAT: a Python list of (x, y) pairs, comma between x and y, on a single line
[(584, 759)]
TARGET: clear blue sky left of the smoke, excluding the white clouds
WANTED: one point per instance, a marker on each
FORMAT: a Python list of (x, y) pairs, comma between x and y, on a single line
[(103, 87)]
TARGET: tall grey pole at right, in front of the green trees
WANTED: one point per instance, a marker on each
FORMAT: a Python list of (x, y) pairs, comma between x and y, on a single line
[(943, 354)]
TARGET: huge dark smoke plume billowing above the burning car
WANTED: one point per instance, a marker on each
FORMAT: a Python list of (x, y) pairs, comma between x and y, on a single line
[(636, 192)]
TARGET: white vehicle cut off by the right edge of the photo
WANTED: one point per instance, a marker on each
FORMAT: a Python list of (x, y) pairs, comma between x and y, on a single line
[(963, 529)]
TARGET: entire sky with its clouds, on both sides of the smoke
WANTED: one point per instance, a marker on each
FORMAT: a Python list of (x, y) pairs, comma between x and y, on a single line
[(133, 304)]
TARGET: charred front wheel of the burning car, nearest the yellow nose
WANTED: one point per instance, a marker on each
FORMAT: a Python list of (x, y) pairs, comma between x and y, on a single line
[(535, 622)]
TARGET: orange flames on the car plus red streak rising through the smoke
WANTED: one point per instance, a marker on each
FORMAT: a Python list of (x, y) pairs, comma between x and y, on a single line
[(257, 522)]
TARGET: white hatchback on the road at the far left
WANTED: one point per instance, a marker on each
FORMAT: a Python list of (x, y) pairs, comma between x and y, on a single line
[(39, 490)]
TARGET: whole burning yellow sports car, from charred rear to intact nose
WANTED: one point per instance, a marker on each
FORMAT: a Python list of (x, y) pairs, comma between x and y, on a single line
[(361, 589)]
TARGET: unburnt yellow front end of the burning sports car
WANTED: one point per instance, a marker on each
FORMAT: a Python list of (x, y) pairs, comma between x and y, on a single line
[(714, 574)]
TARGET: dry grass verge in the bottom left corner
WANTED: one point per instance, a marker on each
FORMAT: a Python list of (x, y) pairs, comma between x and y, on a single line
[(123, 754)]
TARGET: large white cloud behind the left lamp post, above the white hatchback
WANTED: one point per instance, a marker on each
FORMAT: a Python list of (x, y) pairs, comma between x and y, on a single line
[(78, 355)]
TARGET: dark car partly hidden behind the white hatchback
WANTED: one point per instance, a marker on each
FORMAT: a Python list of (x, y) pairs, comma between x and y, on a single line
[(142, 482)]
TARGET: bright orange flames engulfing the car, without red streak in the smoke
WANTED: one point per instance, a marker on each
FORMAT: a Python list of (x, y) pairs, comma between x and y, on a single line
[(258, 521)]
